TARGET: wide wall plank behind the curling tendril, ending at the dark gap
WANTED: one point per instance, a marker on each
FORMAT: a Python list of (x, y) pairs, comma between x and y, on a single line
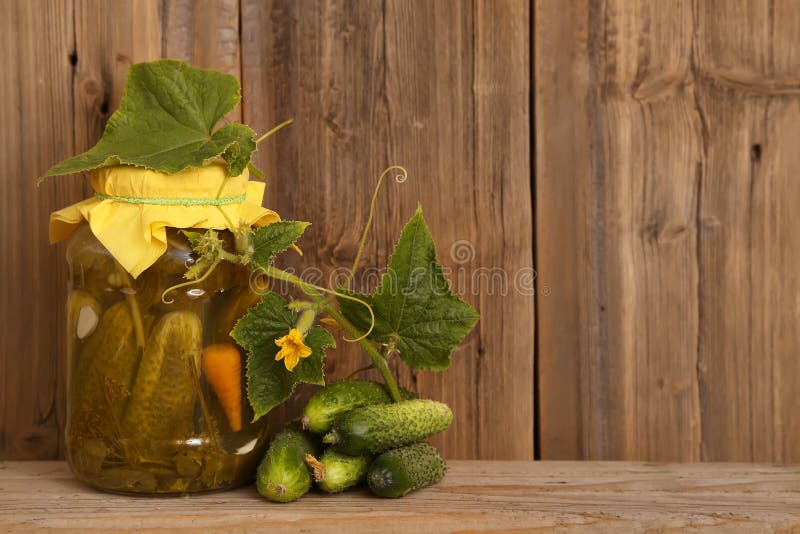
[(351, 75)]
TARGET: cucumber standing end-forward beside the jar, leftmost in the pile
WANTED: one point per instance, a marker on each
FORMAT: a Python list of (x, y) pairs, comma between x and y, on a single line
[(283, 475)]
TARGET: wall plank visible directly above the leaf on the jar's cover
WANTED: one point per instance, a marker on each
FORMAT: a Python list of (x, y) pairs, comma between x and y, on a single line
[(112, 36)]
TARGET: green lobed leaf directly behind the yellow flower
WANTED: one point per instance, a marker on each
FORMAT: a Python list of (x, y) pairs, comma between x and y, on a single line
[(269, 383)]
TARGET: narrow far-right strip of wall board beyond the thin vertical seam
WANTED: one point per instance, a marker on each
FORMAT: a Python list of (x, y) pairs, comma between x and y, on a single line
[(747, 62)]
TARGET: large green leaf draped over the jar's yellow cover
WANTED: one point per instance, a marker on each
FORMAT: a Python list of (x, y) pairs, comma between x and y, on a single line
[(165, 122)]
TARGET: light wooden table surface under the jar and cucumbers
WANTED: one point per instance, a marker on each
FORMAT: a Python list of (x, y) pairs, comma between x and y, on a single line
[(475, 496)]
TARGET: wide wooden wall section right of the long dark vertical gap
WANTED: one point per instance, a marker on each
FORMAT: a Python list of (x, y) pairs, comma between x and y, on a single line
[(665, 230)]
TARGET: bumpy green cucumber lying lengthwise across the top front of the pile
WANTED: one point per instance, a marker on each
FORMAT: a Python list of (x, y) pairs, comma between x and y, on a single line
[(374, 429)]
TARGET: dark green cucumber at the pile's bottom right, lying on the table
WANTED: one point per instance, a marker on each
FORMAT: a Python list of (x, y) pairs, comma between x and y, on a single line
[(401, 471)]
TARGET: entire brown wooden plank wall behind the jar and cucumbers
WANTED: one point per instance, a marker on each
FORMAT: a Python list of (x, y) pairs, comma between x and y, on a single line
[(660, 148)]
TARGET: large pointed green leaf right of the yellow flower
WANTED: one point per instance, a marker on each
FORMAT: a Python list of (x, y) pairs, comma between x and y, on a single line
[(413, 305)]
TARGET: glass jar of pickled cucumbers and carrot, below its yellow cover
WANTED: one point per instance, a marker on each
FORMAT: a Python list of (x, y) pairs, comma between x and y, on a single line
[(144, 413)]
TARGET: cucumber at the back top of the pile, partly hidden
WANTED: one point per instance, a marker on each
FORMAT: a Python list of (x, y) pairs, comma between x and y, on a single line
[(340, 397)]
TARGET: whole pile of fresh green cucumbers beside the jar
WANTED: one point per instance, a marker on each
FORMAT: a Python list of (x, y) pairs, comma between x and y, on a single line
[(368, 437)]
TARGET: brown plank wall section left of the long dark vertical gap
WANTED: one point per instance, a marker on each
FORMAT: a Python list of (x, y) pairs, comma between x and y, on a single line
[(430, 85)]
